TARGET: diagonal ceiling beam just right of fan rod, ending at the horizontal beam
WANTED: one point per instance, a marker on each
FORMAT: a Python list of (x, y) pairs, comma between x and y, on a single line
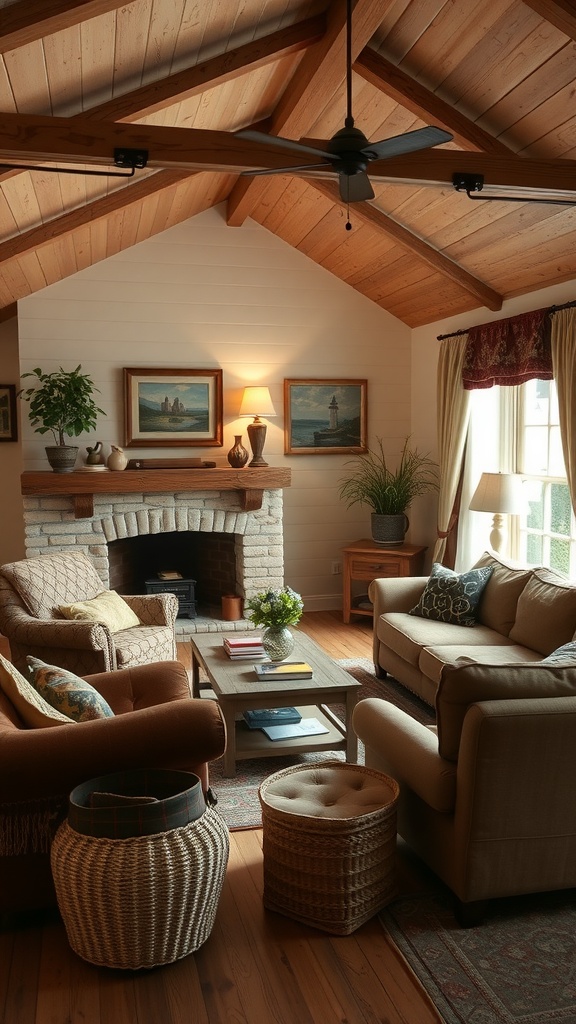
[(426, 105)]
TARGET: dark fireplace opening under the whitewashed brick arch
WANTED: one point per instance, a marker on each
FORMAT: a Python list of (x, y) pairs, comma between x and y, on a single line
[(208, 559)]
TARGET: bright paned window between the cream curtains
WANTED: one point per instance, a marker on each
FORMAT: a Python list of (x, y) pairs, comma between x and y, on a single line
[(547, 536)]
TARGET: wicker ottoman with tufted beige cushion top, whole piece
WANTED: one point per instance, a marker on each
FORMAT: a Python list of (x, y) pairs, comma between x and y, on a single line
[(330, 844)]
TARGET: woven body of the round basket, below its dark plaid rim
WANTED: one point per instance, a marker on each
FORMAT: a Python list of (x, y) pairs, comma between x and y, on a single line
[(142, 902)]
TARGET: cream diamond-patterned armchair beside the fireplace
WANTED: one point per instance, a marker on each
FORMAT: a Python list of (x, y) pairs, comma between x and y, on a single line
[(33, 592)]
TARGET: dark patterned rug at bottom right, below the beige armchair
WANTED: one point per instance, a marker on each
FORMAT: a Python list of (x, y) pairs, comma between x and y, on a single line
[(519, 967)]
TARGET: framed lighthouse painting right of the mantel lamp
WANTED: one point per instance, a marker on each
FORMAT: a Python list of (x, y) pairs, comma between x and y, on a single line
[(325, 417)]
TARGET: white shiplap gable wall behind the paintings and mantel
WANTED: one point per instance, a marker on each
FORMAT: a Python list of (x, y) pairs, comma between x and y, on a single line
[(204, 295)]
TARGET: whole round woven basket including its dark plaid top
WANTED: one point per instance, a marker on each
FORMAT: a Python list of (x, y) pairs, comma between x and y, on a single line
[(139, 880)]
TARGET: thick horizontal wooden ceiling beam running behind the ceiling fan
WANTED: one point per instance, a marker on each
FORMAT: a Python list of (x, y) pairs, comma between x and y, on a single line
[(47, 140)]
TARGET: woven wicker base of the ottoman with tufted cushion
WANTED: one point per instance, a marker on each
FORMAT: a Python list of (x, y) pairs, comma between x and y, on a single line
[(332, 873)]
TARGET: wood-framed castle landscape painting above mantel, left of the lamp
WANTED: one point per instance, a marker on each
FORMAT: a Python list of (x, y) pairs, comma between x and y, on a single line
[(174, 408)]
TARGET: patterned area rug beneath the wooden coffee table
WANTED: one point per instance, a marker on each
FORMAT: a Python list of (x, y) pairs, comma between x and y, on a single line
[(238, 798)]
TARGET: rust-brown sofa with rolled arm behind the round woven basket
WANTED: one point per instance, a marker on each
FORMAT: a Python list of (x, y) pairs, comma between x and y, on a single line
[(156, 724)]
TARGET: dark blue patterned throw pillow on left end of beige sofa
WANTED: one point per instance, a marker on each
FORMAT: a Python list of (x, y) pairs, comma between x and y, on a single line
[(450, 598)]
